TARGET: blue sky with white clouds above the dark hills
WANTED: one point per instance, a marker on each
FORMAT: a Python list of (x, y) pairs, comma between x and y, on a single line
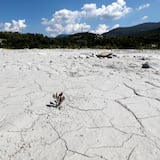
[(54, 17)]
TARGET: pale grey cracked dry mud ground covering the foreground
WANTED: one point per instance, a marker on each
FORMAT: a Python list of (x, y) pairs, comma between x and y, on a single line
[(111, 110)]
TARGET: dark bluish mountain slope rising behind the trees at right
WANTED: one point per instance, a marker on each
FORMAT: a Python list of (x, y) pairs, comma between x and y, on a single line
[(130, 31)]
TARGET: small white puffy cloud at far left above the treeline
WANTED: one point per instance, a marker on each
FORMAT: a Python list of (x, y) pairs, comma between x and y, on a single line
[(14, 26)]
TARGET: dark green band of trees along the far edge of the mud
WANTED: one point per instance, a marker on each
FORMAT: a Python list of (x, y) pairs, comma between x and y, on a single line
[(143, 40)]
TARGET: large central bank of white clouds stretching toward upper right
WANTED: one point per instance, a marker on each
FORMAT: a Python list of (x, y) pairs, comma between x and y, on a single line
[(66, 21)]
